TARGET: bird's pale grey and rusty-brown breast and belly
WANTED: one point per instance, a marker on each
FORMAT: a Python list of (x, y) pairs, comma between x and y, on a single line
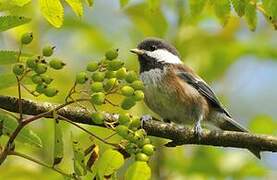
[(162, 97)]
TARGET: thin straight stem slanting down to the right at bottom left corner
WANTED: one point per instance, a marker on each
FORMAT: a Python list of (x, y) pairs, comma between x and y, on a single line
[(14, 153)]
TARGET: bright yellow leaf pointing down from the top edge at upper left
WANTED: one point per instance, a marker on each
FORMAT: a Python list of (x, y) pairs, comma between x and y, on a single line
[(53, 12)]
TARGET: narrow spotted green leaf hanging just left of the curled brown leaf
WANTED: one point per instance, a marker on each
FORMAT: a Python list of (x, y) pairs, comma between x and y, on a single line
[(79, 158)]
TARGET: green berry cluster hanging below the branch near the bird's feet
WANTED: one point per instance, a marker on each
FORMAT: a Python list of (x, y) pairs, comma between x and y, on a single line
[(138, 142)]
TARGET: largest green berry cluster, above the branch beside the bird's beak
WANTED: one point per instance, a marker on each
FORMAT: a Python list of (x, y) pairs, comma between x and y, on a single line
[(109, 76)]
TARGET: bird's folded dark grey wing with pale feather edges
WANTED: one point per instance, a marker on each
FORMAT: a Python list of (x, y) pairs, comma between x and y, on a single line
[(203, 89)]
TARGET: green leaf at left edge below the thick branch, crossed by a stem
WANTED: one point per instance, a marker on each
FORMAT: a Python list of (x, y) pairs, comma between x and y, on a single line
[(26, 135)]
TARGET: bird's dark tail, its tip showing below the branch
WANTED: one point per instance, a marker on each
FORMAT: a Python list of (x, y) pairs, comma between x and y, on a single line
[(227, 123)]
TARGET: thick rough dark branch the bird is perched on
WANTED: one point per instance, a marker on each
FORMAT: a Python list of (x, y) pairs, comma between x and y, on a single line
[(178, 135)]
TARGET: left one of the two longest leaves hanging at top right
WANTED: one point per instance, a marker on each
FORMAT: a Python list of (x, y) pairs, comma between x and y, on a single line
[(222, 10)]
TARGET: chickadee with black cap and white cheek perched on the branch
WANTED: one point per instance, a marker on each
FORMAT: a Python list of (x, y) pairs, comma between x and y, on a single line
[(176, 93)]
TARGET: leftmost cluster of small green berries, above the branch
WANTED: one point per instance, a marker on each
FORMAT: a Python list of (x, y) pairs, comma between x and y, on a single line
[(39, 66)]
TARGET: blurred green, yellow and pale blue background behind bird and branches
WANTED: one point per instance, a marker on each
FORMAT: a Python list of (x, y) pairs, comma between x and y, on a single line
[(239, 64)]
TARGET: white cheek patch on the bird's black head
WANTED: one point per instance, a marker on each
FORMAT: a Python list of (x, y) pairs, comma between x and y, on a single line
[(163, 55)]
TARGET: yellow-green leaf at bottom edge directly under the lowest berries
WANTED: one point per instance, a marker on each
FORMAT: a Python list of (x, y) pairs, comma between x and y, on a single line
[(138, 170)]
